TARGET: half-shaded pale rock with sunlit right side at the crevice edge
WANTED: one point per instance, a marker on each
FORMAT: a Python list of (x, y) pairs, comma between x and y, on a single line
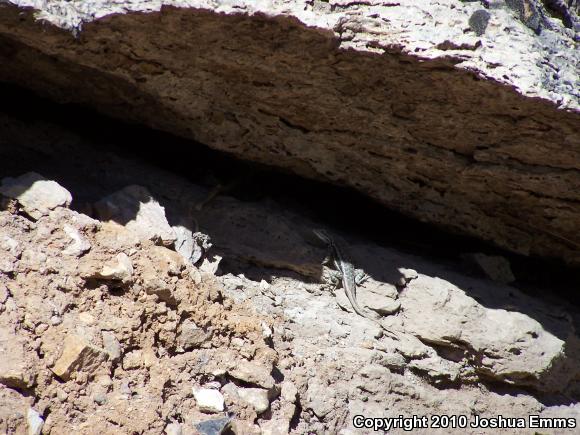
[(135, 208)]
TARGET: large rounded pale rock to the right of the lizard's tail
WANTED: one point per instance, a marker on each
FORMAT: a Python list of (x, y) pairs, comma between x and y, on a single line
[(512, 346)]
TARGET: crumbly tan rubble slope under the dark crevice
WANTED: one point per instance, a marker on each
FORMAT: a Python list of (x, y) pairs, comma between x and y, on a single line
[(258, 330)]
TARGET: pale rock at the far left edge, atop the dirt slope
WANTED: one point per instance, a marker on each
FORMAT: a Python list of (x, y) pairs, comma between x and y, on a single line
[(37, 195)]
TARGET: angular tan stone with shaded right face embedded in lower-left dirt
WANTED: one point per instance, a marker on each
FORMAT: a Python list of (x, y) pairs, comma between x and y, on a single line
[(78, 355)]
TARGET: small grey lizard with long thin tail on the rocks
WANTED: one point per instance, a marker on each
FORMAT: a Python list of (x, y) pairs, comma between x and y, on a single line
[(346, 273)]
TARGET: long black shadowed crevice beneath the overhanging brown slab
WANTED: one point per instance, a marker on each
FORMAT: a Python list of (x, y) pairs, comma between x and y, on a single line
[(341, 208)]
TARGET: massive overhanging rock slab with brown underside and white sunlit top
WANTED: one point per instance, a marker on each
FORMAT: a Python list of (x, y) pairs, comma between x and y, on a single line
[(427, 107)]
